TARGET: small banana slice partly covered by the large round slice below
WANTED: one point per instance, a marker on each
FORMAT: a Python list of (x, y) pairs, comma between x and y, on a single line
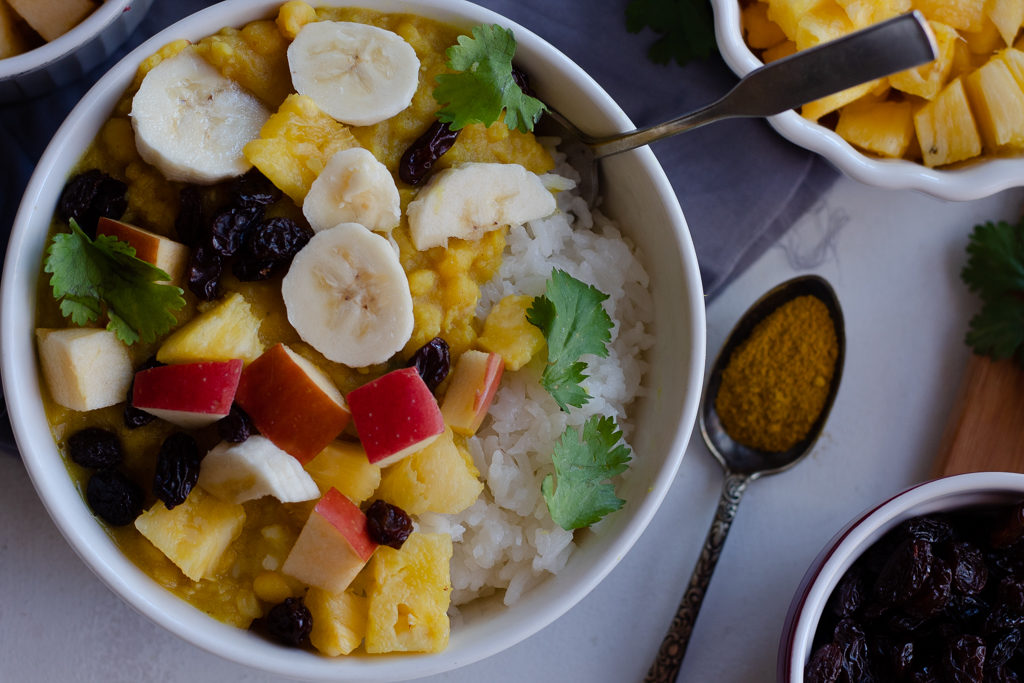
[(354, 188)]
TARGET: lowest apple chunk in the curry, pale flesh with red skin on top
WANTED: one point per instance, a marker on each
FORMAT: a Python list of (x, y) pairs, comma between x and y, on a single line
[(333, 546)]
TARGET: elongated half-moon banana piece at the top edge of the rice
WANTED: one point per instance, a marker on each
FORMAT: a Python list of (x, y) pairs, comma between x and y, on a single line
[(473, 199)]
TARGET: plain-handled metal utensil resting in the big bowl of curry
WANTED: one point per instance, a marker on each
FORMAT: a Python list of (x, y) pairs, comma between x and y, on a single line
[(885, 49)]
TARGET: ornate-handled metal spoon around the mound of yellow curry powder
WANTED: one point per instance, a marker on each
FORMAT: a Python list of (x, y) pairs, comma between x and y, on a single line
[(742, 464)]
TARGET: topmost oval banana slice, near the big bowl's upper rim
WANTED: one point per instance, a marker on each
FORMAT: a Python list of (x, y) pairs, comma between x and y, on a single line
[(359, 74)]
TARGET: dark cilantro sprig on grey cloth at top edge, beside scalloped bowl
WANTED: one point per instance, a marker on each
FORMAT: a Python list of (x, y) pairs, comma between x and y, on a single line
[(688, 29)]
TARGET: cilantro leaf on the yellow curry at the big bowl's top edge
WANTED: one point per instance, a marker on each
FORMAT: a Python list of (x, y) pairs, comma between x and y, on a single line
[(485, 86)]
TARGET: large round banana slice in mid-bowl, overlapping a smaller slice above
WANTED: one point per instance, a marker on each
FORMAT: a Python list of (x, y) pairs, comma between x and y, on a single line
[(349, 297)]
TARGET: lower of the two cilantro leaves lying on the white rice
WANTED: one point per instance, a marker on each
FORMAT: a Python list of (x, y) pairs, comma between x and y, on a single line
[(581, 499)]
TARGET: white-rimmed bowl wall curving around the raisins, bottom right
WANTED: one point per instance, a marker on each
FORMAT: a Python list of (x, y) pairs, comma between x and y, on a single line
[(946, 495)]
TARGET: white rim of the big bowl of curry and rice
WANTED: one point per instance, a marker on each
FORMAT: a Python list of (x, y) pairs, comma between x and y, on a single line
[(161, 607)]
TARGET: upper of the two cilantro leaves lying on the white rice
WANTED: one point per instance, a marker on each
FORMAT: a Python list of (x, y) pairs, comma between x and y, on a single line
[(574, 323)]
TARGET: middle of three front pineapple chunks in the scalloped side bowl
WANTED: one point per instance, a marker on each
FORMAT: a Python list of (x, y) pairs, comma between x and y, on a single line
[(947, 130)]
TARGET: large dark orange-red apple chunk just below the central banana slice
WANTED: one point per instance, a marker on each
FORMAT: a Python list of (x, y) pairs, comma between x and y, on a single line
[(292, 403)]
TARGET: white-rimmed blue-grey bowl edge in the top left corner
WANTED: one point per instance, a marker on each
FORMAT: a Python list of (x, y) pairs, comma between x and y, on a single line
[(78, 52)]
